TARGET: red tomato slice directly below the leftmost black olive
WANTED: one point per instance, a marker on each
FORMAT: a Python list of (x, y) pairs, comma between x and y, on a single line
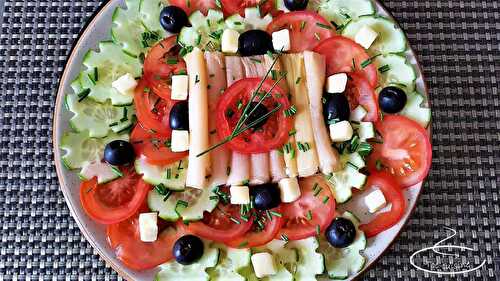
[(114, 201)]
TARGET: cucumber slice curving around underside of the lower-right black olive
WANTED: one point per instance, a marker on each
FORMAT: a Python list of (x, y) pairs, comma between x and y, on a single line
[(341, 263)]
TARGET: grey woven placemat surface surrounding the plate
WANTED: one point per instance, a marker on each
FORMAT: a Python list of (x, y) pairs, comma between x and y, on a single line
[(458, 45)]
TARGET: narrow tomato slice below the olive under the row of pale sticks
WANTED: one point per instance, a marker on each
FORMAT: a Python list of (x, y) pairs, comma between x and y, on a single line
[(254, 237)]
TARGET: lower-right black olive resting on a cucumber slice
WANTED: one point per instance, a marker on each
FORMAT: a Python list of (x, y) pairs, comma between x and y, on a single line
[(341, 232)]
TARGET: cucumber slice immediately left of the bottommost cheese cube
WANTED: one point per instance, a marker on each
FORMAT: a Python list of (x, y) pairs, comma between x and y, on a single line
[(231, 262)]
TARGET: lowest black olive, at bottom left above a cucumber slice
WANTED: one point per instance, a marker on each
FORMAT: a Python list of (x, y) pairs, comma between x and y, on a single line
[(188, 249)]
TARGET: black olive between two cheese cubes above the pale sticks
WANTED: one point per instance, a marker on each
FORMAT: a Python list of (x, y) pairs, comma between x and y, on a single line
[(255, 42)]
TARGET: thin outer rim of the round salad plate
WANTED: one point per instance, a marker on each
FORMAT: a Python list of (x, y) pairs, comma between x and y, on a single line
[(57, 154)]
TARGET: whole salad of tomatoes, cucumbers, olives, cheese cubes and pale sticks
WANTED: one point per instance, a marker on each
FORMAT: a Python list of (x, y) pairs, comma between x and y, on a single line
[(217, 139)]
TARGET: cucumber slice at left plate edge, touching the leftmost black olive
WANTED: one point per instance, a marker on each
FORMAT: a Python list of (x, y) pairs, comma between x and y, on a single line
[(81, 148)]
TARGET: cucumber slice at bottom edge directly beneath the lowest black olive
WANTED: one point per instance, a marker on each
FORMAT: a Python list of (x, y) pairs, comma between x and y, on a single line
[(173, 270)]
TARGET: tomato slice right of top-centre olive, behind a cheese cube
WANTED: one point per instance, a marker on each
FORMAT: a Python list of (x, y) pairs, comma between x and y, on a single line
[(307, 29)]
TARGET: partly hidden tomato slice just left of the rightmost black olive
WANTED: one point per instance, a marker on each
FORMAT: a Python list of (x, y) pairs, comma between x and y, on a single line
[(359, 91)]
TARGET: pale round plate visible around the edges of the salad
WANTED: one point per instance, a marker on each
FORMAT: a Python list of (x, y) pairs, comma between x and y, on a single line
[(98, 29)]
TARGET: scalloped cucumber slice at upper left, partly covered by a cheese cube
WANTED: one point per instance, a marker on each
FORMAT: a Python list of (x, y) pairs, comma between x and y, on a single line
[(104, 67)]
